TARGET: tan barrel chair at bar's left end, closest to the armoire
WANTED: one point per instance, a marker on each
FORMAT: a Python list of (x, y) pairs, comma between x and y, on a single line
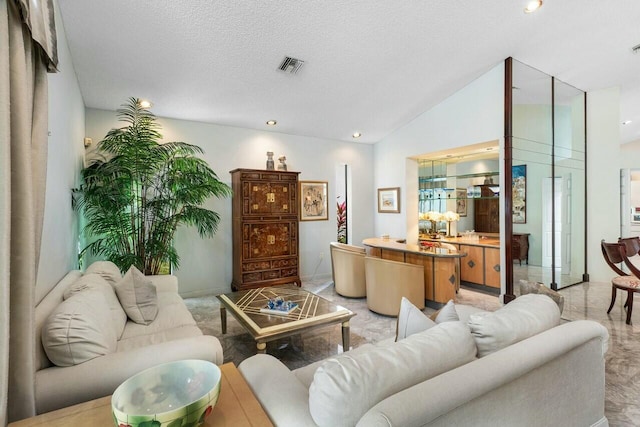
[(347, 269)]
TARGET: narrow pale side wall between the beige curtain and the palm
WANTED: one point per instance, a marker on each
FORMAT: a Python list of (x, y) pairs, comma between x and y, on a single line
[(58, 253)]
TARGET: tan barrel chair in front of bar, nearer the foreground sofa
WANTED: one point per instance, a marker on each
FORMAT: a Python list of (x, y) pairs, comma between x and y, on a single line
[(389, 281)]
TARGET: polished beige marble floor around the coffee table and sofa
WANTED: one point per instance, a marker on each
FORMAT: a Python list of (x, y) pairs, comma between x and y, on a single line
[(583, 301)]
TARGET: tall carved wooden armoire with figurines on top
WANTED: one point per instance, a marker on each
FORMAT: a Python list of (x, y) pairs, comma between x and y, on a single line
[(265, 228)]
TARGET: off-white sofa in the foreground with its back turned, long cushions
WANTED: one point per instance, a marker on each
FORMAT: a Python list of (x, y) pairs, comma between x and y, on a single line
[(434, 377)]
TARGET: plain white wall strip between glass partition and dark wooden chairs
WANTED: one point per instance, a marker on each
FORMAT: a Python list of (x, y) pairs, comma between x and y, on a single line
[(603, 177)]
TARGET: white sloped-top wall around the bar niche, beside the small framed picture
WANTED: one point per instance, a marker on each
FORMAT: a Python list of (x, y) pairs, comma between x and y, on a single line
[(472, 115)]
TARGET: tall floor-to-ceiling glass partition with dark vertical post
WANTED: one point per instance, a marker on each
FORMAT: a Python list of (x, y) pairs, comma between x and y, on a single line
[(545, 143)]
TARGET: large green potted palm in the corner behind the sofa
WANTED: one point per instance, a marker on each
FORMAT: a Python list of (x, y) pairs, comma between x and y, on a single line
[(137, 191)]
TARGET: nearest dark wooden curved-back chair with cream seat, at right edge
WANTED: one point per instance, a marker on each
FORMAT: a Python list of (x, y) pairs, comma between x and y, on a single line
[(615, 254)]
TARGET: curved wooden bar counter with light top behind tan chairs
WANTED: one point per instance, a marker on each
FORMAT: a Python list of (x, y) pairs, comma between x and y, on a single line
[(441, 266)]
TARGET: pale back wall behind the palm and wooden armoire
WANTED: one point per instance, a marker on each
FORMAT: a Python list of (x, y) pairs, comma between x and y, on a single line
[(206, 264)]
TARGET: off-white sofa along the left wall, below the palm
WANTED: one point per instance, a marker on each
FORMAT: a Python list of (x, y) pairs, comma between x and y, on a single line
[(114, 346)]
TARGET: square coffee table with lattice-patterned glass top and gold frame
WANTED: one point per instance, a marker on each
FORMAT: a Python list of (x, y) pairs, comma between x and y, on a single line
[(312, 312)]
